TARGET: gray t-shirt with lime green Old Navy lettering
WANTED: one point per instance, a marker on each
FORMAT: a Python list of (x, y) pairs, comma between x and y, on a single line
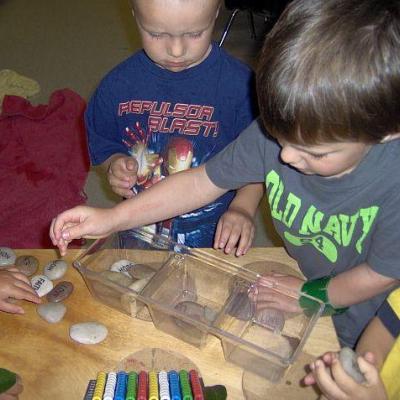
[(329, 225)]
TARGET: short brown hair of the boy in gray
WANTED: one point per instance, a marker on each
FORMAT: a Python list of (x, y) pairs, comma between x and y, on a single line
[(330, 71)]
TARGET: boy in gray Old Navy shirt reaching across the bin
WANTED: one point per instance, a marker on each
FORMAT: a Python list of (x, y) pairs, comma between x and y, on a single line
[(326, 147)]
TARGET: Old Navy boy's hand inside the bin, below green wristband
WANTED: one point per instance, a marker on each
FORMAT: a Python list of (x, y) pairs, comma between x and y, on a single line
[(268, 297)]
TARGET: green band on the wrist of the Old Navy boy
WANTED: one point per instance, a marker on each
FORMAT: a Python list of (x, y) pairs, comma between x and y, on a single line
[(318, 288)]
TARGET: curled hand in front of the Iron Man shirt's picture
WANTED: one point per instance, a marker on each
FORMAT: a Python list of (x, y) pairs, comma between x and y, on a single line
[(122, 175)]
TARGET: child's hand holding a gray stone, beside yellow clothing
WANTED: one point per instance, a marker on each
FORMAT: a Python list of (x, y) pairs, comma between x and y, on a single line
[(336, 384)]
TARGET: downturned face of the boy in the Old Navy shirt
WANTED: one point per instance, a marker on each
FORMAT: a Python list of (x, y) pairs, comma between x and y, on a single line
[(329, 160)]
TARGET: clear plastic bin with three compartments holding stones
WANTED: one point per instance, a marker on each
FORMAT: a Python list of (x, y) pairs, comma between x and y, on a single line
[(192, 294)]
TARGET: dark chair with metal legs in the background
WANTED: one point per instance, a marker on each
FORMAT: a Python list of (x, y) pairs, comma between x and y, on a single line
[(269, 9)]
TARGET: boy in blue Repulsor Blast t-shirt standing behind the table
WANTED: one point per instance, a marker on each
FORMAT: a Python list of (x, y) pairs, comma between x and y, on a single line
[(172, 106)]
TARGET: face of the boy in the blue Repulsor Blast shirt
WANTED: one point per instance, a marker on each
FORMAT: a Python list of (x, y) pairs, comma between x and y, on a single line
[(176, 34)]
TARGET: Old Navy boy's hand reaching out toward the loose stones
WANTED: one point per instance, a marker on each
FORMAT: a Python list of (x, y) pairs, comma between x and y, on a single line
[(78, 222)]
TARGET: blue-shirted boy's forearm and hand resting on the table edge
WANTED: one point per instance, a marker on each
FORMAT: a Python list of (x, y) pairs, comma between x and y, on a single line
[(236, 226)]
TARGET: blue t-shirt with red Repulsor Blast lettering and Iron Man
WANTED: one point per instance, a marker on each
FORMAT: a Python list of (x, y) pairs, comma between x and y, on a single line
[(171, 121)]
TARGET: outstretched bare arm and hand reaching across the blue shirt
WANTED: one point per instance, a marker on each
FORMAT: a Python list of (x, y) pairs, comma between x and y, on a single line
[(175, 195)]
